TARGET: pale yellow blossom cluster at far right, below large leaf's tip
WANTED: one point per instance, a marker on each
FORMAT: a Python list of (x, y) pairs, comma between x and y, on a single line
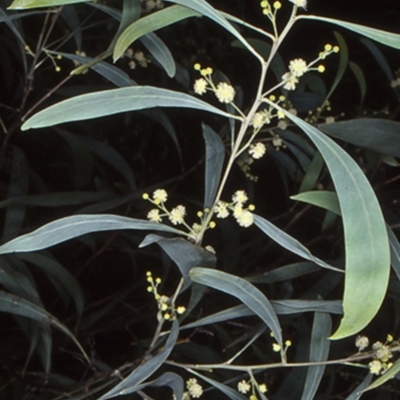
[(382, 353)]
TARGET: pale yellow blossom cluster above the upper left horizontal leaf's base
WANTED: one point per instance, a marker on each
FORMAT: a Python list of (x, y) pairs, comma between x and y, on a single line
[(224, 92)]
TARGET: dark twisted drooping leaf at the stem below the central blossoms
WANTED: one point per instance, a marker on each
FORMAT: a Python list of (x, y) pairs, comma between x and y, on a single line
[(183, 253)]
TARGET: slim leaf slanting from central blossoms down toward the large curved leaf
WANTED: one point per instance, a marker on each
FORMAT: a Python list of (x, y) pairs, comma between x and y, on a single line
[(288, 242)]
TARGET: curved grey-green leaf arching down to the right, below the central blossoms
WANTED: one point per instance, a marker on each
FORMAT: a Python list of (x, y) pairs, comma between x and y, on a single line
[(244, 291)]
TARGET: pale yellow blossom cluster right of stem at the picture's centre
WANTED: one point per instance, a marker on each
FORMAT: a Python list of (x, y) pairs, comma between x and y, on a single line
[(244, 216)]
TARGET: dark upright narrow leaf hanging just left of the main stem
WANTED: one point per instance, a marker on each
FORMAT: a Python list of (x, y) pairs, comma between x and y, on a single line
[(215, 153)]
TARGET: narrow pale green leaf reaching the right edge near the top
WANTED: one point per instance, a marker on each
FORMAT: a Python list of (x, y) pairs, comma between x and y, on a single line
[(388, 38)]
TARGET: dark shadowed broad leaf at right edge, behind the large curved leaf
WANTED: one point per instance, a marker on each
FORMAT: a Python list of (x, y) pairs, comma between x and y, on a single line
[(379, 135)]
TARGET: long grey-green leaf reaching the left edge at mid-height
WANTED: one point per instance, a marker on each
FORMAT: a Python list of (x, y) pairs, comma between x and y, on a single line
[(67, 228)]
